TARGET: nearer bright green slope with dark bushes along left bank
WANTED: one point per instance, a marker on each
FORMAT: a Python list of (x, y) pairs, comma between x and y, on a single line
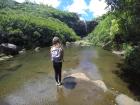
[(28, 30)]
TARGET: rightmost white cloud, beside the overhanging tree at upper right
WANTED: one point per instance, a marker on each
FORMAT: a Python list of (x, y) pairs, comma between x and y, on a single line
[(97, 7)]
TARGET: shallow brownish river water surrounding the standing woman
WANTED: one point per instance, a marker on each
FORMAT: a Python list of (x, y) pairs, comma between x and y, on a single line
[(28, 78)]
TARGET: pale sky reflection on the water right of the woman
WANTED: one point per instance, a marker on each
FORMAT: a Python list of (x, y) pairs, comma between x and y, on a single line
[(87, 66)]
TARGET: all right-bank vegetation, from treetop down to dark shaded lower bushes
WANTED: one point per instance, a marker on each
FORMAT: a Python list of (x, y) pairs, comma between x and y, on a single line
[(119, 30)]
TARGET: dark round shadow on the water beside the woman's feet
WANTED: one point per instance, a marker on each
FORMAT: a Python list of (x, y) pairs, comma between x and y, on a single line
[(69, 82)]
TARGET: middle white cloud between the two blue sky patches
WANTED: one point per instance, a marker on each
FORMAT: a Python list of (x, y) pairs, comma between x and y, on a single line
[(78, 6)]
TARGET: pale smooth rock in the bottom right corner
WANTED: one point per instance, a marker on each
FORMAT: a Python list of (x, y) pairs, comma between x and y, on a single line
[(125, 100)]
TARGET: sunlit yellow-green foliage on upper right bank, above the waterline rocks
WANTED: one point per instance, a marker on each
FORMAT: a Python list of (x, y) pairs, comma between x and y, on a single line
[(118, 27)]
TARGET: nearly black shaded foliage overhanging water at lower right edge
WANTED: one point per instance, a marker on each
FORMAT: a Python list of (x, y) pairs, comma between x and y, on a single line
[(130, 70)]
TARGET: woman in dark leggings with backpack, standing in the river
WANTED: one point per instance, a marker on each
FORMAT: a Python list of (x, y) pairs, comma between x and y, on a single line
[(57, 53)]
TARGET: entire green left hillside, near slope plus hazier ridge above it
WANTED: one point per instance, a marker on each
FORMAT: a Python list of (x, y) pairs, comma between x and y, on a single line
[(29, 25)]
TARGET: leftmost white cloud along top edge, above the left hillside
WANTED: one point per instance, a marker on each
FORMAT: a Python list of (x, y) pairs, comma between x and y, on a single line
[(53, 3)]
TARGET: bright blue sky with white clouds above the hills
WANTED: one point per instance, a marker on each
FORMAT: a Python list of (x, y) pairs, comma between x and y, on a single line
[(87, 9)]
